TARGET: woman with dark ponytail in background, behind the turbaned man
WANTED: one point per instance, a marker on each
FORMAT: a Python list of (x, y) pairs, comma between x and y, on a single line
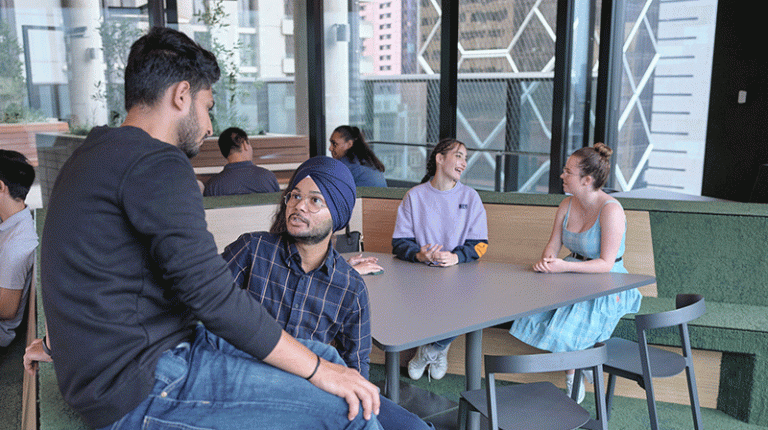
[(348, 145)]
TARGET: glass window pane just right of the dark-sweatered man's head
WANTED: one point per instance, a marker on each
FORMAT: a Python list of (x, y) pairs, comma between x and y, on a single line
[(254, 43)]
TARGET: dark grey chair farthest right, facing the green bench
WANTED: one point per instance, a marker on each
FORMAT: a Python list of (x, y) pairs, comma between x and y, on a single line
[(639, 362)]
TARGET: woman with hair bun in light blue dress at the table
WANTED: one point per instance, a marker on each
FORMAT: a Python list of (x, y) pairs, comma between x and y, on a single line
[(592, 225)]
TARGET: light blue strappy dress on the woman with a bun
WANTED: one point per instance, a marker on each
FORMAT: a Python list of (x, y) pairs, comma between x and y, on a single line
[(581, 325)]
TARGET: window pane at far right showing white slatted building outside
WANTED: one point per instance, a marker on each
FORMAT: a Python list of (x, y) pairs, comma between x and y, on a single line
[(665, 82)]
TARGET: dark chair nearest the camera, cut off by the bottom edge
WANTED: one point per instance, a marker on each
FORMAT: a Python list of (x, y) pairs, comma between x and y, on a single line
[(538, 405)]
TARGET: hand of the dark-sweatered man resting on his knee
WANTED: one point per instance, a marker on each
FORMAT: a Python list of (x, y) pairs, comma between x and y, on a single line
[(348, 384)]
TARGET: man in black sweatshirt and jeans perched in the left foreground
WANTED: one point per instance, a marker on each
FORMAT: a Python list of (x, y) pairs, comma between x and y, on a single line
[(128, 269)]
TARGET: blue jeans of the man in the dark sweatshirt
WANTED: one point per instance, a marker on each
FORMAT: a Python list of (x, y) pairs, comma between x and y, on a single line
[(213, 385)]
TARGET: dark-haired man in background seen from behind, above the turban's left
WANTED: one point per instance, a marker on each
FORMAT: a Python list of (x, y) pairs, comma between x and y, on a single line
[(240, 175)]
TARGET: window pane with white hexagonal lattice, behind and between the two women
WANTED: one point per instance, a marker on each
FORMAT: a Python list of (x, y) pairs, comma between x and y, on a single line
[(506, 63)]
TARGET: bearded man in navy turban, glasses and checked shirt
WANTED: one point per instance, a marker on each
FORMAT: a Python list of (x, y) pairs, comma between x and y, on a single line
[(303, 282)]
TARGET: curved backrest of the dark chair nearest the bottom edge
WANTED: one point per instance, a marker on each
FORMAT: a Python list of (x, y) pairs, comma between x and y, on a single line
[(548, 362)]
